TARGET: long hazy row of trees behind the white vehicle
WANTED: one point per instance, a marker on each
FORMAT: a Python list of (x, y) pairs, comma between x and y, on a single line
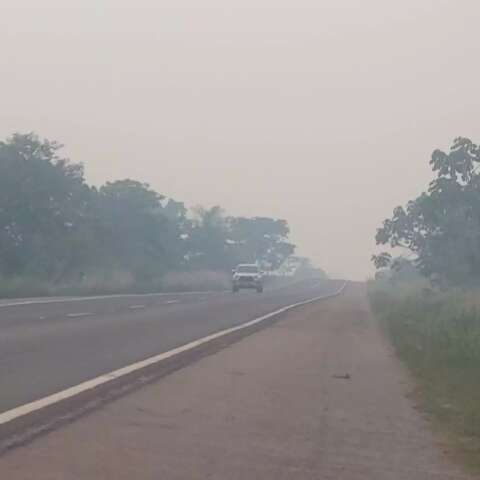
[(57, 228)]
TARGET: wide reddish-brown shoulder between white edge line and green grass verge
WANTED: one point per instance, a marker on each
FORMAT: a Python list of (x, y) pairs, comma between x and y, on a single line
[(318, 395)]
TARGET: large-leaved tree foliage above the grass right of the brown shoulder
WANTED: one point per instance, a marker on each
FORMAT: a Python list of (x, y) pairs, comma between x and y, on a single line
[(441, 227)]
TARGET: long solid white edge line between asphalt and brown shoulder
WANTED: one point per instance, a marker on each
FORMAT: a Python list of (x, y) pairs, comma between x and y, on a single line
[(36, 405)]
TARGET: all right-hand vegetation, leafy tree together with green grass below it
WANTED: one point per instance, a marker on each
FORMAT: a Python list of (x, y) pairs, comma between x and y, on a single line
[(428, 298)]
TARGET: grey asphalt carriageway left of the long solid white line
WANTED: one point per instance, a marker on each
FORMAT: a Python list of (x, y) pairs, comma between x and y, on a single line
[(48, 346)]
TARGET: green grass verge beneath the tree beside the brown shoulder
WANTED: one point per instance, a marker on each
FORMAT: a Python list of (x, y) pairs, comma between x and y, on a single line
[(437, 335)]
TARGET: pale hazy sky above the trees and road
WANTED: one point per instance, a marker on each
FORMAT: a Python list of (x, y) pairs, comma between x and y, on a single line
[(323, 112)]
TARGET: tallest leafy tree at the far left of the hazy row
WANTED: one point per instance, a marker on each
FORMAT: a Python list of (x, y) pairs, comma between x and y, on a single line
[(43, 199)]
